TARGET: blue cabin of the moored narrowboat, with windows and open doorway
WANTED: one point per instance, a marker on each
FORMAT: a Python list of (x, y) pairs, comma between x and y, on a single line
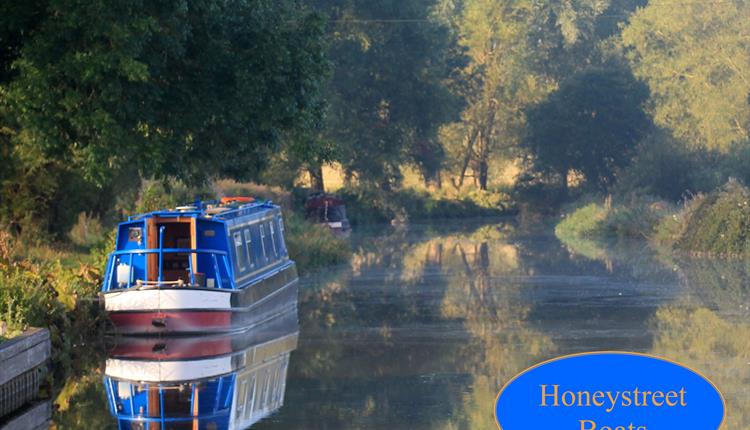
[(223, 246)]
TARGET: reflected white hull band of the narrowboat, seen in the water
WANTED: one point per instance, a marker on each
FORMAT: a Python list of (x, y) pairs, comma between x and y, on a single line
[(167, 371)]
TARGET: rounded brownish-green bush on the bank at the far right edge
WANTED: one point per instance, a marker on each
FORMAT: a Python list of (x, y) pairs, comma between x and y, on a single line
[(719, 223)]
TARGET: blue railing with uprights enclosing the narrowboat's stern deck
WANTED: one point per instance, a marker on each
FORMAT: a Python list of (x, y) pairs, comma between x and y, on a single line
[(113, 278)]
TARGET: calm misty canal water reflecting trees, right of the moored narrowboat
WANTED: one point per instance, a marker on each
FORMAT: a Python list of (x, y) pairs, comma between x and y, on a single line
[(426, 323)]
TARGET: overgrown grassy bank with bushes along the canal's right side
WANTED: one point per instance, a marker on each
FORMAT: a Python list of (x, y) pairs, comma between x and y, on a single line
[(712, 224)]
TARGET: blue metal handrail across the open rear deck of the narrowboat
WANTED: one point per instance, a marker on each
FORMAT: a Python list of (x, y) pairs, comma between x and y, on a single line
[(221, 275)]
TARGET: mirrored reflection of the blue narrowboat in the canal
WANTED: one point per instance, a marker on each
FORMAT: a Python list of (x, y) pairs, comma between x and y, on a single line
[(210, 382)]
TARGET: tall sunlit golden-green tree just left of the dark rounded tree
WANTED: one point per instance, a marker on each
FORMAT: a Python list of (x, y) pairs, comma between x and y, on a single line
[(499, 82)]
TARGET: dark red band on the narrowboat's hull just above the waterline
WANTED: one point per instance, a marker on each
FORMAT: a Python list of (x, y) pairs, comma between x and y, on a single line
[(171, 322)]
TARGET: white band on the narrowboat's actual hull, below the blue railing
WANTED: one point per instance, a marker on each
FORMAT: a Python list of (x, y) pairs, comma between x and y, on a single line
[(172, 299)]
